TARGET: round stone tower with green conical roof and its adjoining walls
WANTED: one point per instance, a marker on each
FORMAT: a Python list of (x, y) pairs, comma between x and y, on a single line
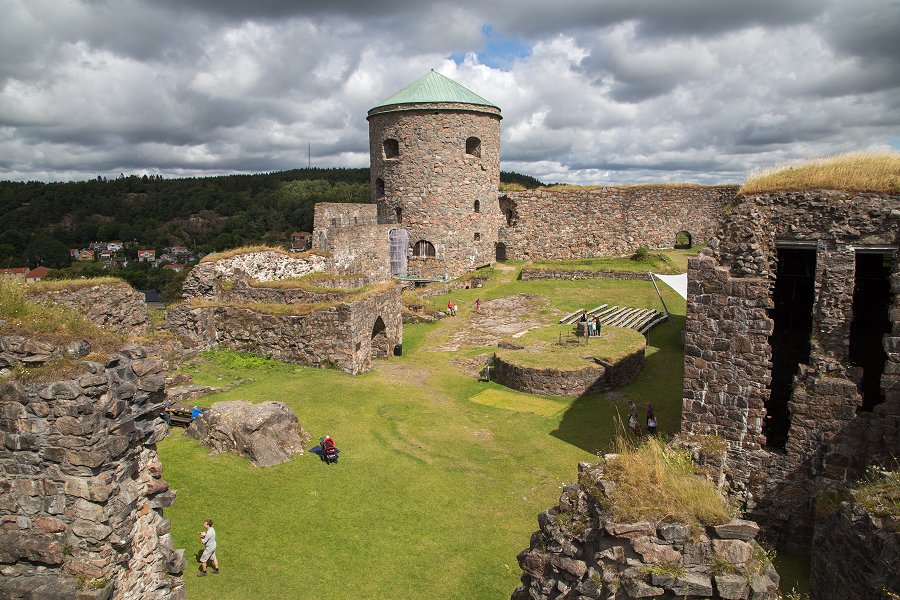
[(436, 211)]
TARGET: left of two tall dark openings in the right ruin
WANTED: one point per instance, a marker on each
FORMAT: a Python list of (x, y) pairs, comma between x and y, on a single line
[(792, 315)]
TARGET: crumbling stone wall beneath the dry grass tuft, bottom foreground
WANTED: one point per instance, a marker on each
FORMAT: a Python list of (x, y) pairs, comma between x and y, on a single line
[(580, 552)]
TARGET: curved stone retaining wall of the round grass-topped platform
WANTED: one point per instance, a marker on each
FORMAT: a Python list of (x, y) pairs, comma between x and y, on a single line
[(591, 379)]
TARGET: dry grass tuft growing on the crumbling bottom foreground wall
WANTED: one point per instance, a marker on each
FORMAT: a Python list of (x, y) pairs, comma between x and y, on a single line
[(657, 483)]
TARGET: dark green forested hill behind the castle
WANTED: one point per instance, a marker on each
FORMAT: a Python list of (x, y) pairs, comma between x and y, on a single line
[(39, 222)]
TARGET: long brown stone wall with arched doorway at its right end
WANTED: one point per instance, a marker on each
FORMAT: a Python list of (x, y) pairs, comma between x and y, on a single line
[(346, 336)]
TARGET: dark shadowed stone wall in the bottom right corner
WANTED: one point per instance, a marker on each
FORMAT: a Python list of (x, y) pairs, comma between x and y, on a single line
[(855, 556)]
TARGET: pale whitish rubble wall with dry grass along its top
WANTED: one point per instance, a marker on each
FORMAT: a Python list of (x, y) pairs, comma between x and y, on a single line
[(209, 279)]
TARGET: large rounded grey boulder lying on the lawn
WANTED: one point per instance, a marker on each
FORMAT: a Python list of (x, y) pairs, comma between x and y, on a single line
[(267, 433)]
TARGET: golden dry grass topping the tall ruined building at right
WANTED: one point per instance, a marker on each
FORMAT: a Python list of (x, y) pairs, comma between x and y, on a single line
[(853, 172)]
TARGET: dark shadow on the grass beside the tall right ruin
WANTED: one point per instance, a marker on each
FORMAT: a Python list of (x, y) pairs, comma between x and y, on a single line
[(590, 422)]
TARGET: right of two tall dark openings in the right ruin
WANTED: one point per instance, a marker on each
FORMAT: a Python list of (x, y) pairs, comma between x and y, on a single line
[(871, 321)]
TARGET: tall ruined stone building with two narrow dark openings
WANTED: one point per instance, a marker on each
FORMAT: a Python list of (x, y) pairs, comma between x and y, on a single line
[(792, 347)]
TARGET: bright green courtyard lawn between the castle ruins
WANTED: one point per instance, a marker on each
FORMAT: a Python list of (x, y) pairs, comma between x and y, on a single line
[(441, 476)]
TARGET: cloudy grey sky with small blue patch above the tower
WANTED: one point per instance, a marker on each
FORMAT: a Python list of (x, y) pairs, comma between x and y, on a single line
[(592, 91)]
